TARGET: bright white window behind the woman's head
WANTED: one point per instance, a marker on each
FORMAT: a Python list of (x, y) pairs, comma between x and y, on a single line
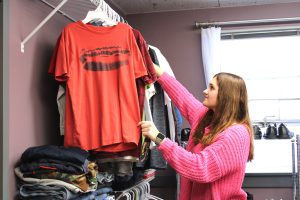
[(270, 67)]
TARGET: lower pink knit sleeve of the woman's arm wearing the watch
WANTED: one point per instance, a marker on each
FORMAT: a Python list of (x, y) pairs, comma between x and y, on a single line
[(226, 155)]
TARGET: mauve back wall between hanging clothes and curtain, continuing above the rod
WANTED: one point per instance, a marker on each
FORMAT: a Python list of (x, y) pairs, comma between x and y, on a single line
[(173, 34)]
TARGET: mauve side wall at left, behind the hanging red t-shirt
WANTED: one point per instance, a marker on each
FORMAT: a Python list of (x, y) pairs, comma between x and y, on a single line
[(32, 112)]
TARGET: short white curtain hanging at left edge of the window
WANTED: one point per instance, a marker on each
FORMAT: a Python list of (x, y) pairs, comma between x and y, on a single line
[(211, 42)]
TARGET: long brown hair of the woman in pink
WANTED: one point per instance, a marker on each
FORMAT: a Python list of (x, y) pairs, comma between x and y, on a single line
[(232, 107)]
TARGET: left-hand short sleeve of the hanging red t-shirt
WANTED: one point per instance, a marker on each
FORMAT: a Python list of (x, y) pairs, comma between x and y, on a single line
[(59, 64)]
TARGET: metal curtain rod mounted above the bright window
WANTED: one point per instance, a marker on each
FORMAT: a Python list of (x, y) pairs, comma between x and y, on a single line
[(248, 22)]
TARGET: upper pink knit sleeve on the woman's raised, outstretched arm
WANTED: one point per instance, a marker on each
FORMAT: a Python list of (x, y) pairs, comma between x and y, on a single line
[(190, 108)]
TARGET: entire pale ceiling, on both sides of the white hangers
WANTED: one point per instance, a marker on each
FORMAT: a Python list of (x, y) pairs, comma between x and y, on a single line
[(79, 8)]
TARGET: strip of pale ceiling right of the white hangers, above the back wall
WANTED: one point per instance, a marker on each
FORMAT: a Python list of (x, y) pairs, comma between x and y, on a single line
[(150, 6)]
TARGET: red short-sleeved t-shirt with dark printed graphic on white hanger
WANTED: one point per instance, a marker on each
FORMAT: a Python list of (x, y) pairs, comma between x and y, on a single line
[(100, 66)]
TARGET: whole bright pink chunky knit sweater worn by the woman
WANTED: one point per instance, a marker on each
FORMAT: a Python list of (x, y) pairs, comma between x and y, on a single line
[(215, 172)]
